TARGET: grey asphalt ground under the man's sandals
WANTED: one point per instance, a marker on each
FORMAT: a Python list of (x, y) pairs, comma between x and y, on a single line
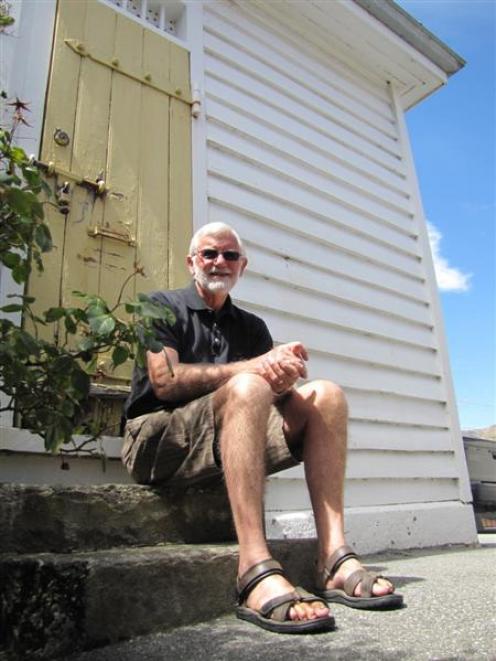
[(449, 614)]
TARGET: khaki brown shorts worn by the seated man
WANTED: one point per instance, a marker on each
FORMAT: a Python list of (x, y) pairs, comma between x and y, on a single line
[(180, 447)]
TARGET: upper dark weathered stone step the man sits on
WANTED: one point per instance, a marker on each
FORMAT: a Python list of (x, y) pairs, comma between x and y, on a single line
[(62, 519)]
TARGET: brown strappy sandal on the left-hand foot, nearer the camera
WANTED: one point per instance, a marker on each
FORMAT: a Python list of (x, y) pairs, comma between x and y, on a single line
[(274, 614)]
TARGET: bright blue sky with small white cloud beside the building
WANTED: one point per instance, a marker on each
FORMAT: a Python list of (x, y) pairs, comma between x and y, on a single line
[(453, 141)]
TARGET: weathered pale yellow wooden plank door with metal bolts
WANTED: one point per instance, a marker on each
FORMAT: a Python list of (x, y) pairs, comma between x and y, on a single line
[(117, 110)]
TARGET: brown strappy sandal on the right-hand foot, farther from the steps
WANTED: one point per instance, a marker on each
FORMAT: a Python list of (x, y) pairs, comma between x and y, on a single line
[(361, 576)]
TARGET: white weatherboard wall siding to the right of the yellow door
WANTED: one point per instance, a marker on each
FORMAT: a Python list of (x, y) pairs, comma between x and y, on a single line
[(308, 161)]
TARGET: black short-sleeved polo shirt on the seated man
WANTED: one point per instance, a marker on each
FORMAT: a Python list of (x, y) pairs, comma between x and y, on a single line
[(199, 335)]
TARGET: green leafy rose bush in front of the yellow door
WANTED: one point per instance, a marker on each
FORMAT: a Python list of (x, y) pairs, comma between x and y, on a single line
[(47, 383)]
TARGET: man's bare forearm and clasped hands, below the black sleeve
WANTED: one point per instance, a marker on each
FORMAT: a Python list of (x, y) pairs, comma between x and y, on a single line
[(281, 368)]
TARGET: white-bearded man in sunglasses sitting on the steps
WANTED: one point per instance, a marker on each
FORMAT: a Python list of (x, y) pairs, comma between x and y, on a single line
[(221, 400)]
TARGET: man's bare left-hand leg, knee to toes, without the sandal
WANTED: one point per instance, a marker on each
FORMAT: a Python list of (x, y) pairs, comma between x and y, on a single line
[(242, 409)]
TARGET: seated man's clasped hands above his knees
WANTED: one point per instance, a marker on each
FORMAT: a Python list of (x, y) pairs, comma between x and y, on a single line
[(283, 366)]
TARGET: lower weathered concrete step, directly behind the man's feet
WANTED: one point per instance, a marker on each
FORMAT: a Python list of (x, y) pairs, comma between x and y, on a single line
[(56, 604)]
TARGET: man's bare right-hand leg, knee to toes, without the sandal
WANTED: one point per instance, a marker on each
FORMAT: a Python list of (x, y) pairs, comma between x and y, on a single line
[(317, 415)]
